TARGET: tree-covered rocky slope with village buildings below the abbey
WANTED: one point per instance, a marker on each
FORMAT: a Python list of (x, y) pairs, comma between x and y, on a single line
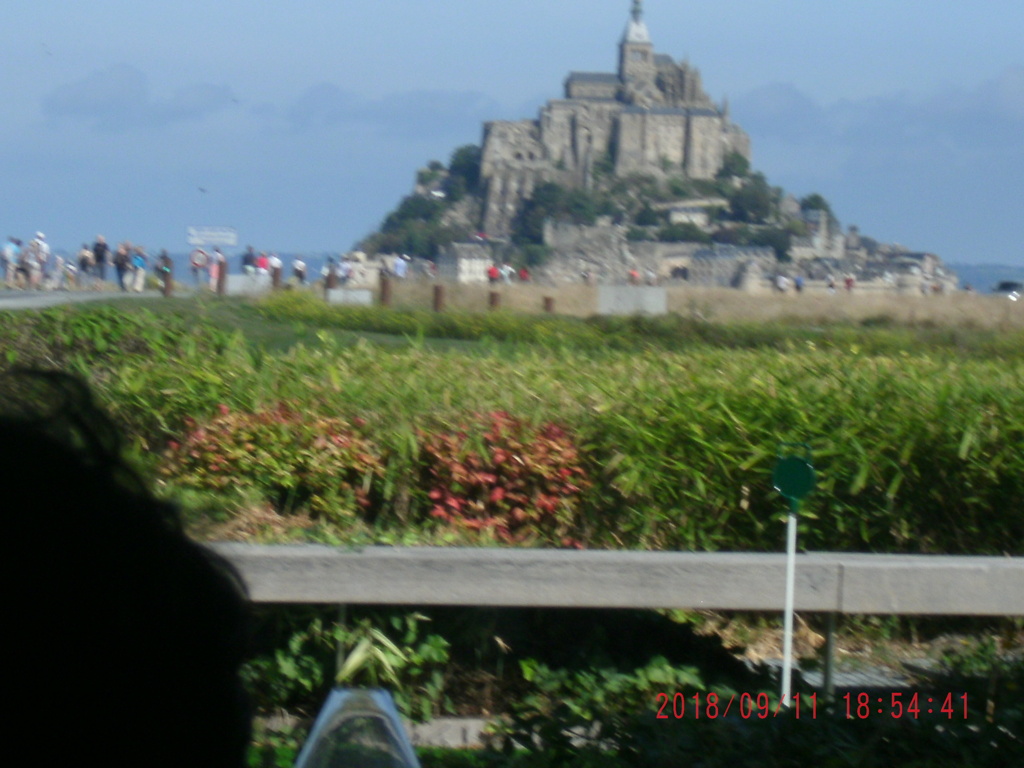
[(739, 208)]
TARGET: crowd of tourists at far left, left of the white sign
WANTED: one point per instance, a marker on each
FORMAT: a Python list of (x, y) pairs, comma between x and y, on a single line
[(32, 267)]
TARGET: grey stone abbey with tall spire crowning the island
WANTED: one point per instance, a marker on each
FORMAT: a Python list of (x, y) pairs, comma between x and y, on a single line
[(653, 117)]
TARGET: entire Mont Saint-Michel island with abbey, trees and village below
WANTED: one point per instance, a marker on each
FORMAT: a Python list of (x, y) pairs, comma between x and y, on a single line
[(635, 173)]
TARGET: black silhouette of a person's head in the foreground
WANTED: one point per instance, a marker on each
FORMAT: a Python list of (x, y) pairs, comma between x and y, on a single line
[(127, 636)]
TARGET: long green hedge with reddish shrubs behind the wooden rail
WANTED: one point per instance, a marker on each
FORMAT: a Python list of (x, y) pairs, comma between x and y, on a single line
[(665, 451)]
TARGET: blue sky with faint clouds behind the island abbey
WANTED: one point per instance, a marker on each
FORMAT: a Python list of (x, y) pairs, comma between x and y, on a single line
[(305, 122)]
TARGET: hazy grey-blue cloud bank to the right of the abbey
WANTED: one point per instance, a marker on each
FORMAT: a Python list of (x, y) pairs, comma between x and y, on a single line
[(938, 172)]
